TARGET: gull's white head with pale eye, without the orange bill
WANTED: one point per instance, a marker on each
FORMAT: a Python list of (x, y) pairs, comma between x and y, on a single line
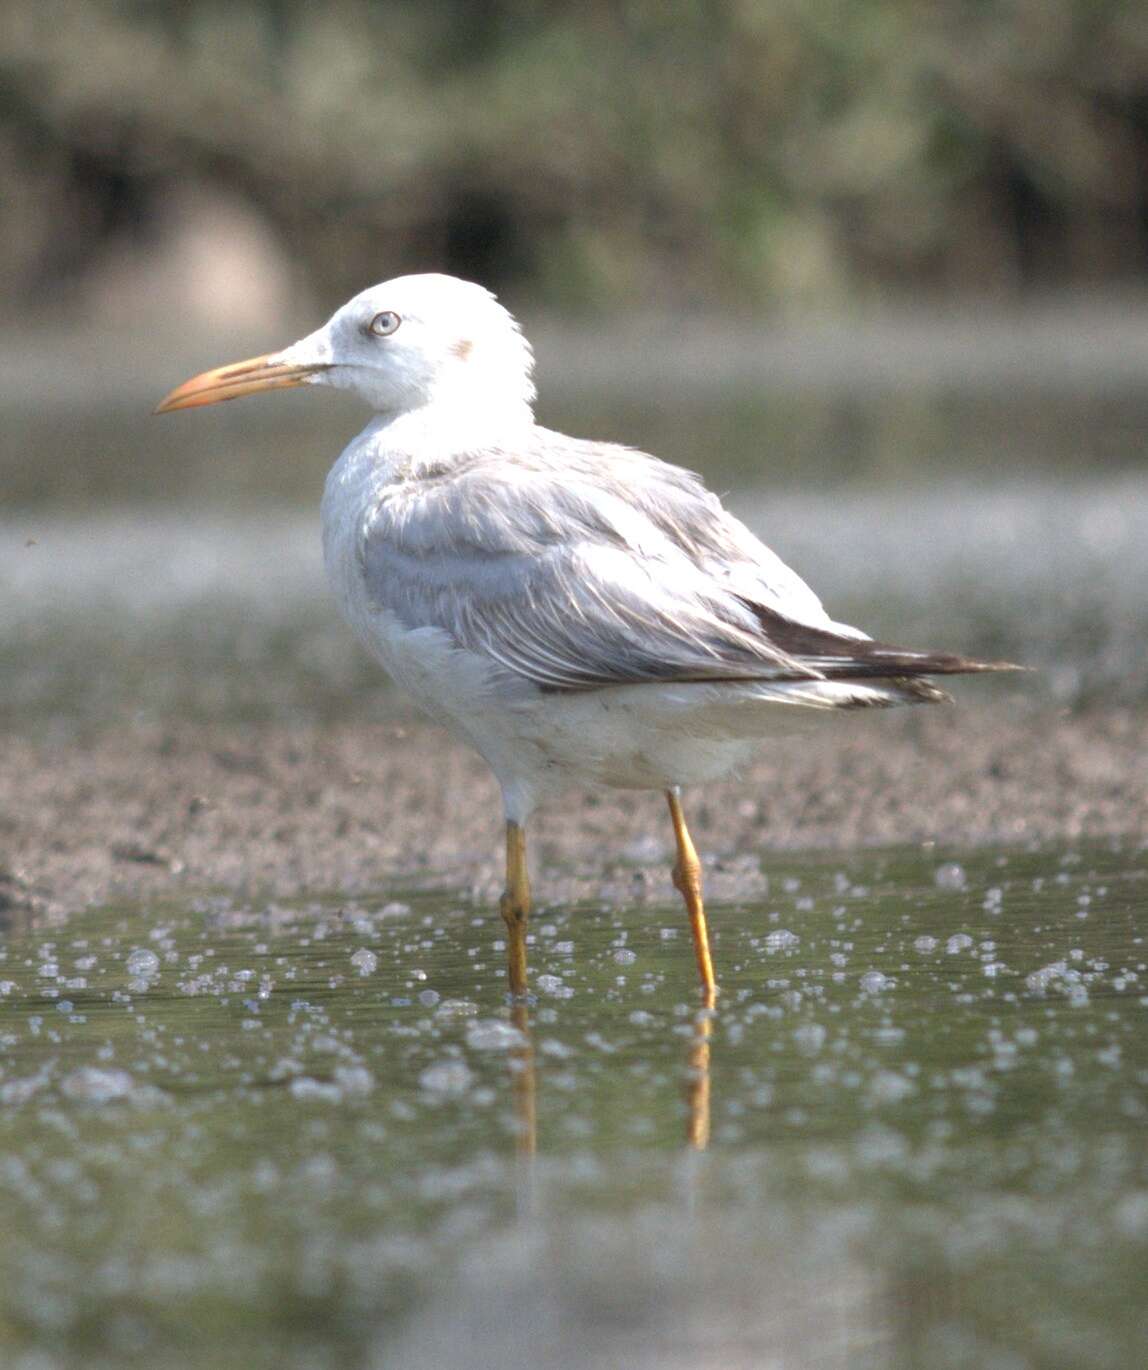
[(419, 343)]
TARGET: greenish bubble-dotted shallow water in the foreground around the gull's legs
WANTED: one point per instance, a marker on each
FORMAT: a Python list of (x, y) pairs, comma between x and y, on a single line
[(297, 1135)]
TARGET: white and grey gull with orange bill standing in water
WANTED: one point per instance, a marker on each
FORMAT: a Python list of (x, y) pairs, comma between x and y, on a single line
[(577, 612)]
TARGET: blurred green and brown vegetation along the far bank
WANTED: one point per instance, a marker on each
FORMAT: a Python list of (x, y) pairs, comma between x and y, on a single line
[(742, 153)]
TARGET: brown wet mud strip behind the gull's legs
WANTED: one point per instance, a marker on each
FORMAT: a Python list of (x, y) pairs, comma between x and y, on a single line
[(280, 810)]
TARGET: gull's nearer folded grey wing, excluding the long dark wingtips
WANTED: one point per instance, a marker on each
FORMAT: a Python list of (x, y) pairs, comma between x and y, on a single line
[(560, 583)]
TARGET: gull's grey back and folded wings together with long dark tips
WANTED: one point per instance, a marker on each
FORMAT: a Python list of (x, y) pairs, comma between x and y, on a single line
[(580, 566)]
